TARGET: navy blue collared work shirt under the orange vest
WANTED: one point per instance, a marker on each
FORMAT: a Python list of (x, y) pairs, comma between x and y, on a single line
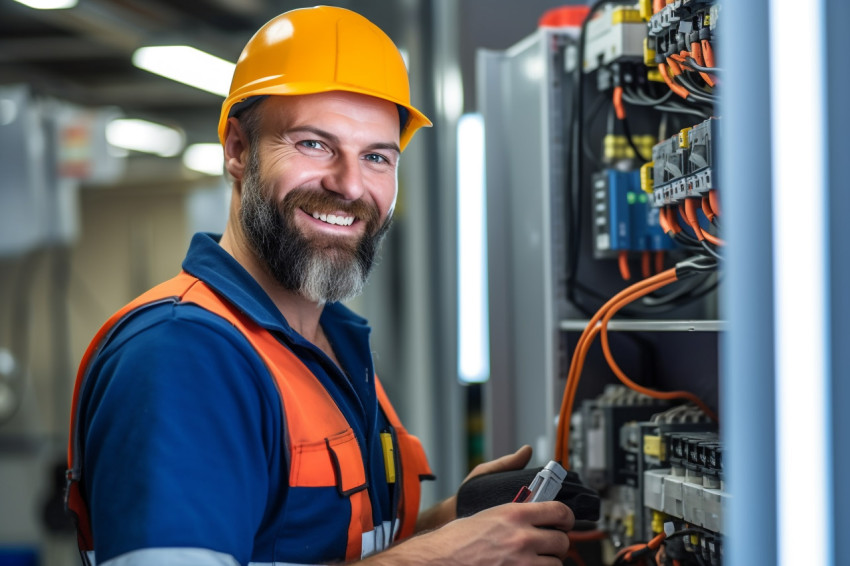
[(183, 428)]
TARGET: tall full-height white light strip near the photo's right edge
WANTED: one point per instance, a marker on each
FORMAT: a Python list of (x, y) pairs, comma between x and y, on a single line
[(801, 278)]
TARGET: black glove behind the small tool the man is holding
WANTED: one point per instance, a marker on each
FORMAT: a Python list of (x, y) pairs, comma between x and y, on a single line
[(489, 490)]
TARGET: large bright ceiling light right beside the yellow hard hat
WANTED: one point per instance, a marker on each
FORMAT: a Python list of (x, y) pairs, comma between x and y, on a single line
[(187, 65)]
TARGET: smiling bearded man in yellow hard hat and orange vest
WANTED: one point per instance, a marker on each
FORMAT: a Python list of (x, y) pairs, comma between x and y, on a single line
[(232, 414)]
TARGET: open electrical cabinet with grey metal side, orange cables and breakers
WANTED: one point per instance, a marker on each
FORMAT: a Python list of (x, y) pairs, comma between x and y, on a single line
[(604, 257)]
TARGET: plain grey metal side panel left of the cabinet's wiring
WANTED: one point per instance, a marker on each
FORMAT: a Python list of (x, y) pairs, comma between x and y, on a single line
[(524, 176)]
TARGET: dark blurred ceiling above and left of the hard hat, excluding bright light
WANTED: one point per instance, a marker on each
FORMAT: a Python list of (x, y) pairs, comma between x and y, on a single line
[(83, 54)]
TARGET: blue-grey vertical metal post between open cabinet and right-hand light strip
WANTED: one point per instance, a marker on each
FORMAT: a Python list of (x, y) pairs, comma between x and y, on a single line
[(748, 411)]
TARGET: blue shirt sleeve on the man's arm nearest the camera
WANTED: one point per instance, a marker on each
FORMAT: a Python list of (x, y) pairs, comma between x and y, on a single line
[(182, 422)]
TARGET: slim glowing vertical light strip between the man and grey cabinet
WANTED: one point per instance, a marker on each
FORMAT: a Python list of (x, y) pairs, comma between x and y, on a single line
[(473, 319)]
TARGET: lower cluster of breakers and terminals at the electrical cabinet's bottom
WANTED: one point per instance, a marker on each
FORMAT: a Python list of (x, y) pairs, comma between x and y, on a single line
[(651, 464)]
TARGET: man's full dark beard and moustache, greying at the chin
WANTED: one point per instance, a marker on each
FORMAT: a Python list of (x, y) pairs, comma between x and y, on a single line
[(324, 268)]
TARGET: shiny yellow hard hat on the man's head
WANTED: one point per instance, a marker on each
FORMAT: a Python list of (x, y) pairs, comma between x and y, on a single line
[(321, 49)]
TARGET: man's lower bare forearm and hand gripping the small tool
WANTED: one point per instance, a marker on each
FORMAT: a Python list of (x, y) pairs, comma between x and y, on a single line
[(513, 533)]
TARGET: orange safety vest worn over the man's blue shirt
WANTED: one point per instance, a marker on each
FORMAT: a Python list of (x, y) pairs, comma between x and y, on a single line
[(324, 451)]
